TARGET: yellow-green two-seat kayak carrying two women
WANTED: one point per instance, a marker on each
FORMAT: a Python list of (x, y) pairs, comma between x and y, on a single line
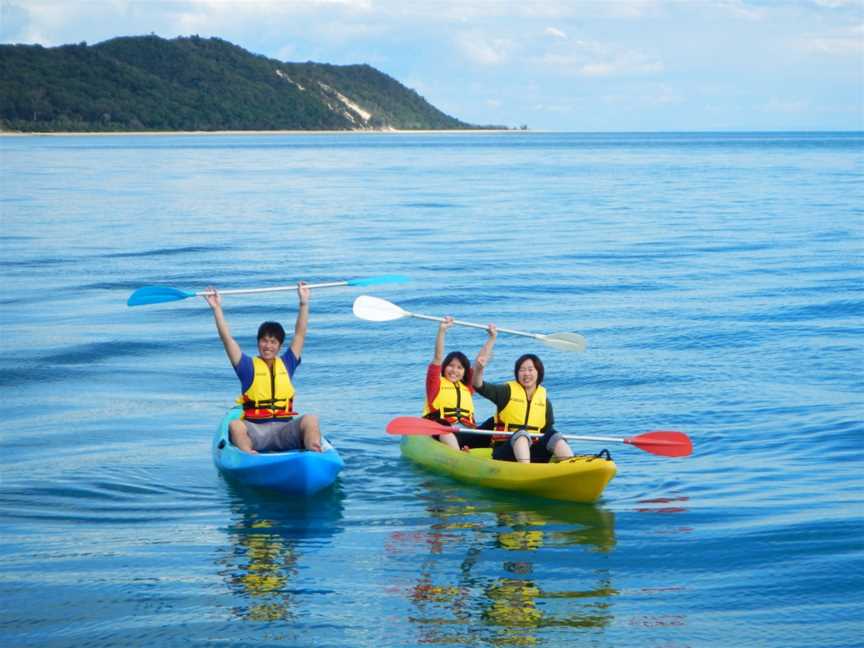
[(579, 479)]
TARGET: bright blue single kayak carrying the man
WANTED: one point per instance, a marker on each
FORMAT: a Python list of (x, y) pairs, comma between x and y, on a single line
[(296, 472)]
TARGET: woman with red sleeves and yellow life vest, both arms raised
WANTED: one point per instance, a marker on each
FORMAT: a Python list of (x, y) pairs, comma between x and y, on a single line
[(449, 390)]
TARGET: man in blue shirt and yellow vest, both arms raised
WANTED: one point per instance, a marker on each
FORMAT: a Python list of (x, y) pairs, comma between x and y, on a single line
[(269, 422)]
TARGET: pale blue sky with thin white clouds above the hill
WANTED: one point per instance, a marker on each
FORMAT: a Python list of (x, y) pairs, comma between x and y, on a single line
[(557, 65)]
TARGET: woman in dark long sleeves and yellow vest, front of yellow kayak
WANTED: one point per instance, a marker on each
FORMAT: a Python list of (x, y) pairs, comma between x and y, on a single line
[(522, 410)]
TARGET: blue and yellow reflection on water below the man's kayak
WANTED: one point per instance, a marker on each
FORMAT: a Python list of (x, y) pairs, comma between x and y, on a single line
[(268, 534)]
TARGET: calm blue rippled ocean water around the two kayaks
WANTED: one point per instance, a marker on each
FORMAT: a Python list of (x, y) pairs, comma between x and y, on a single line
[(717, 278)]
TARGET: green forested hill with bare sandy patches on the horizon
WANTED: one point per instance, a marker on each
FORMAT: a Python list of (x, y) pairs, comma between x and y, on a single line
[(147, 83)]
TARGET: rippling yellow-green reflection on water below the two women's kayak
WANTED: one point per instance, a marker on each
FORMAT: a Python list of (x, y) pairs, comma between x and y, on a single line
[(519, 569)]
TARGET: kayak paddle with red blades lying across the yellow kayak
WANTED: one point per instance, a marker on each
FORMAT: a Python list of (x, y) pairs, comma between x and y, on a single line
[(660, 442)]
